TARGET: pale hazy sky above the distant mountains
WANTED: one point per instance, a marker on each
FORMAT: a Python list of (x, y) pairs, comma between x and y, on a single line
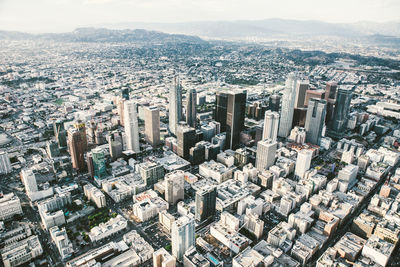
[(66, 15)]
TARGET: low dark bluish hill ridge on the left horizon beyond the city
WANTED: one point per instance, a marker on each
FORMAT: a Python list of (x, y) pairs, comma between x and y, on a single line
[(105, 35)]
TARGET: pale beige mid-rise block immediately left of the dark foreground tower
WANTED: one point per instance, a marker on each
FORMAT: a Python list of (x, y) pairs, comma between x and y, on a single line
[(174, 187)]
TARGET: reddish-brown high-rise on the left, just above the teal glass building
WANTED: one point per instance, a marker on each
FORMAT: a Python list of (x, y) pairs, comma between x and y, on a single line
[(76, 149)]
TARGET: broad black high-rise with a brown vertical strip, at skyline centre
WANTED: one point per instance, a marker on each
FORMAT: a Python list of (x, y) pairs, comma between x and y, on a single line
[(230, 113)]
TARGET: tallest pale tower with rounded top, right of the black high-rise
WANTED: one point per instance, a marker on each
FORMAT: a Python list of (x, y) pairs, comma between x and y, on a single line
[(288, 101)]
